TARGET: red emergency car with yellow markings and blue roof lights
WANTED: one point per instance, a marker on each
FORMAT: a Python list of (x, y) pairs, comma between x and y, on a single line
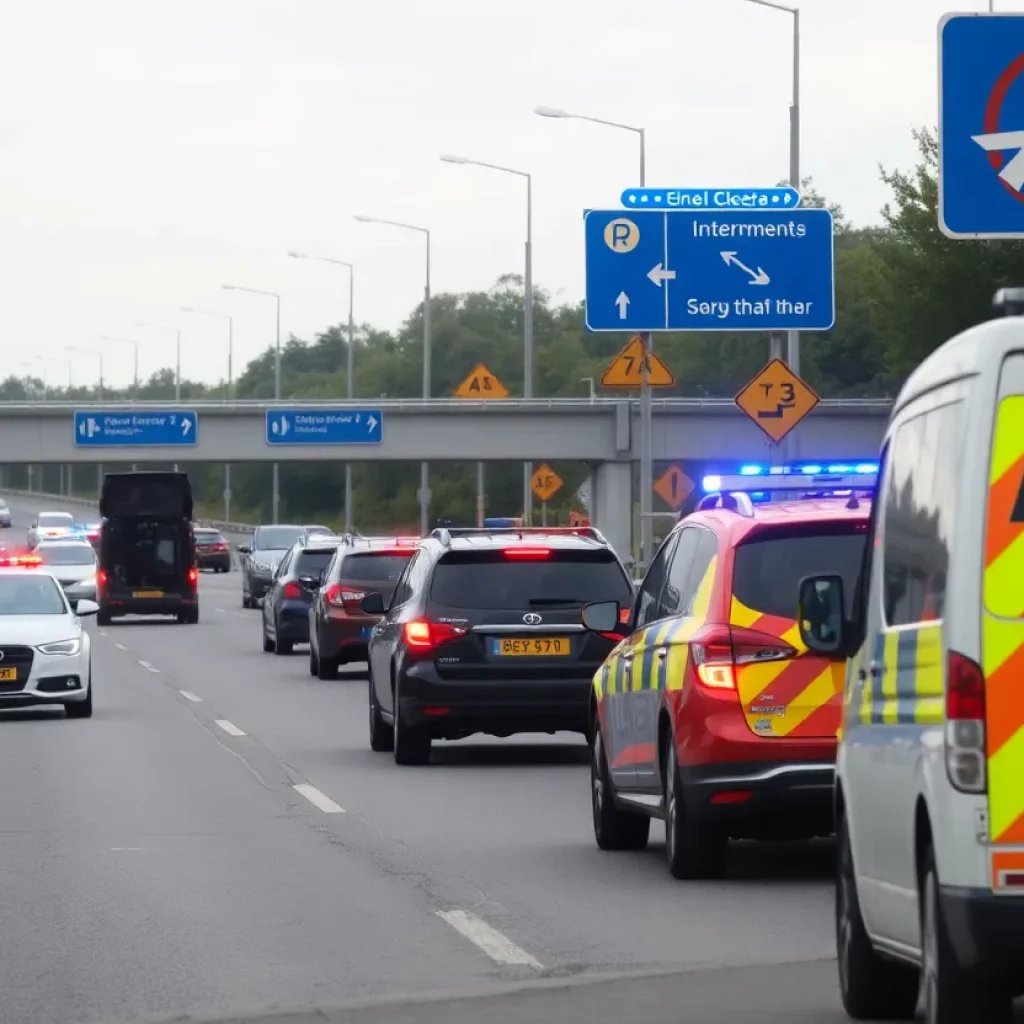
[(713, 715)]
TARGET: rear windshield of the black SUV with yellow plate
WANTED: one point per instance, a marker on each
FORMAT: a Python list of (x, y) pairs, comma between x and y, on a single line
[(489, 580)]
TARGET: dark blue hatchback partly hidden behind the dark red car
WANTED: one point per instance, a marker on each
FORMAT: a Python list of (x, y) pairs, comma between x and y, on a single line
[(297, 578)]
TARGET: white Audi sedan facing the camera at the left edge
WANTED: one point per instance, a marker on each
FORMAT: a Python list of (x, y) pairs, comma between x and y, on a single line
[(45, 651)]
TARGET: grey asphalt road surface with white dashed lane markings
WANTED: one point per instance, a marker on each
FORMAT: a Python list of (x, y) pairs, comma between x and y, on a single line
[(220, 840)]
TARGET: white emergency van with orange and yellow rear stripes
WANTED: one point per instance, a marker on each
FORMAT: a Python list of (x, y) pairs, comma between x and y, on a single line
[(930, 782)]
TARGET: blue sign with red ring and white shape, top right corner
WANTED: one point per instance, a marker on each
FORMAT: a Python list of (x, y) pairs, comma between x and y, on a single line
[(982, 126)]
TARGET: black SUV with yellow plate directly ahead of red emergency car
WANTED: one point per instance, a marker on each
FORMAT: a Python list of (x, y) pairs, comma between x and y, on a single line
[(484, 634)]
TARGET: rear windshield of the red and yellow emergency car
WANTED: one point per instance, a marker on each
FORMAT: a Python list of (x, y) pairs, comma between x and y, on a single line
[(767, 572)]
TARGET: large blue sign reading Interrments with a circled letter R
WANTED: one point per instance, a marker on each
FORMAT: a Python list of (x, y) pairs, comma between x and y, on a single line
[(729, 271)]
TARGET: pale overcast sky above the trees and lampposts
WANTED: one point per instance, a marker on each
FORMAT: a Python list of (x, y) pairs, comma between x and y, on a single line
[(150, 153)]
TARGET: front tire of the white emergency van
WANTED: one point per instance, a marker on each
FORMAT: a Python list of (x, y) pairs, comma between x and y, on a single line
[(872, 988)]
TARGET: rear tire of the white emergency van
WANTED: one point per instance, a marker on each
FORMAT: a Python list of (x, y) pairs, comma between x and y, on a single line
[(952, 996)]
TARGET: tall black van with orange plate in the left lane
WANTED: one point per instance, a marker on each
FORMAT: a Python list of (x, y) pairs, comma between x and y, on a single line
[(147, 550)]
